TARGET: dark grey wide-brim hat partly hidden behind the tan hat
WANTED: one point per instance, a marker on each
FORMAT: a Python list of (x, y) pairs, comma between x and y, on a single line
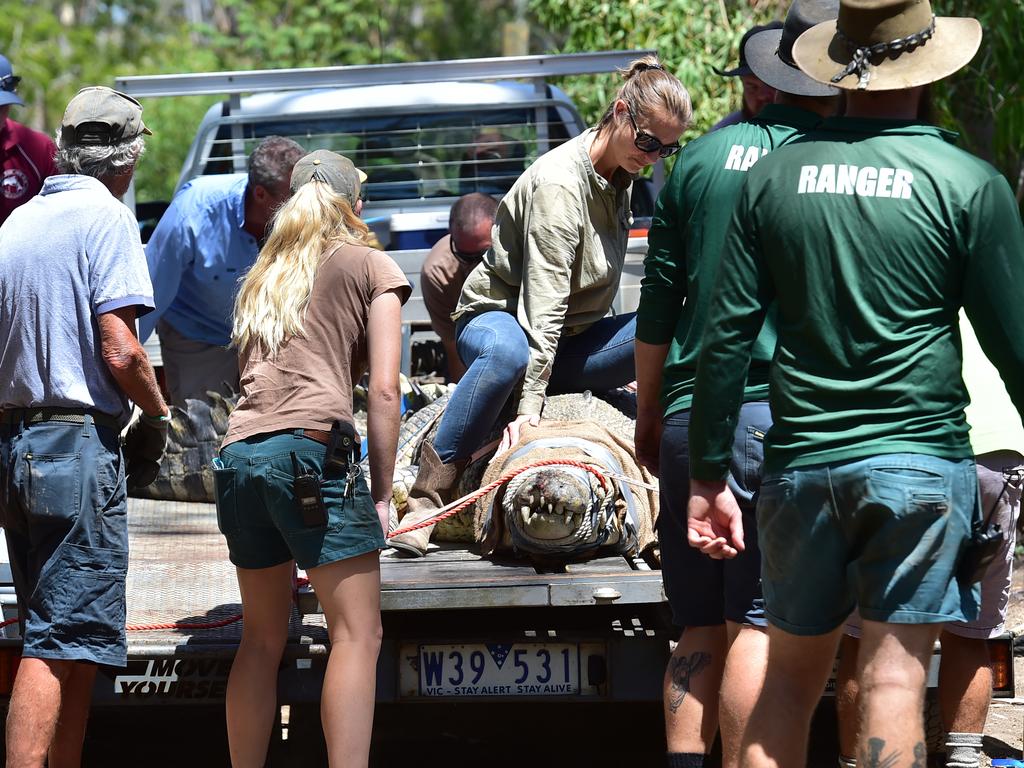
[(770, 54)]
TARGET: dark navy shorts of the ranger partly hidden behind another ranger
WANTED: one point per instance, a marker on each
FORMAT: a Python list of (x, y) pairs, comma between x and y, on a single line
[(704, 592)]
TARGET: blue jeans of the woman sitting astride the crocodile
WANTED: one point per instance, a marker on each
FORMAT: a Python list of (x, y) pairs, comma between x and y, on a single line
[(495, 349)]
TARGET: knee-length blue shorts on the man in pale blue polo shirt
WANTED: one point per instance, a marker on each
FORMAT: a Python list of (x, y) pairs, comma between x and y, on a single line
[(64, 508)]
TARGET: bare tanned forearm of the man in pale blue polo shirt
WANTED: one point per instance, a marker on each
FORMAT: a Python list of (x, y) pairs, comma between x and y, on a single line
[(129, 363)]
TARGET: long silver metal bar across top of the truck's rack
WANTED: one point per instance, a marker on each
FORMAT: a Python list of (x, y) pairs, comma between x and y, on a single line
[(255, 81)]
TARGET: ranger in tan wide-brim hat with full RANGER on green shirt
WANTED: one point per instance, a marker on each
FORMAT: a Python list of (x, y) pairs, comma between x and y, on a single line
[(869, 235)]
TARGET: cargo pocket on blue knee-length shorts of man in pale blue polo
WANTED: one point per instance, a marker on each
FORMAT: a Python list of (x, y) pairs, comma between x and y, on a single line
[(91, 586)]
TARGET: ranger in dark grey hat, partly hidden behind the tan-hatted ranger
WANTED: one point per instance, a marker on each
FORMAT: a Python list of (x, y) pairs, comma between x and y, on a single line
[(686, 245)]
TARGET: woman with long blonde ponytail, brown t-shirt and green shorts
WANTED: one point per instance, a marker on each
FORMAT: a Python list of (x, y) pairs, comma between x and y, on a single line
[(317, 309)]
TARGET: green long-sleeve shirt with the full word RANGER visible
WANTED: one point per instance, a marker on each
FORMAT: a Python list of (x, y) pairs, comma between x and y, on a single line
[(870, 235)]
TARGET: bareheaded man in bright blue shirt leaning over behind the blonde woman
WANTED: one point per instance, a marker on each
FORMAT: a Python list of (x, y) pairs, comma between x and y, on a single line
[(205, 242)]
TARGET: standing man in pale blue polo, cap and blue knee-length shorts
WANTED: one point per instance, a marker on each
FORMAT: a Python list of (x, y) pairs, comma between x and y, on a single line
[(73, 279)]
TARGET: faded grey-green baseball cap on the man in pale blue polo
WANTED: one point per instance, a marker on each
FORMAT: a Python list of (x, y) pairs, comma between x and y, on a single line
[(99, 116)]
